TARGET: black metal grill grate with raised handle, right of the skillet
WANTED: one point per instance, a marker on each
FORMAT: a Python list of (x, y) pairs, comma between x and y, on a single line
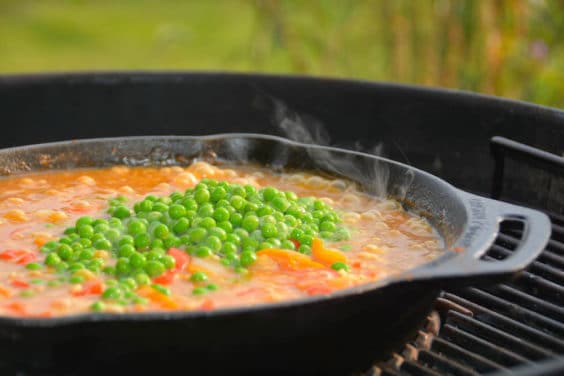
[(500, 328)]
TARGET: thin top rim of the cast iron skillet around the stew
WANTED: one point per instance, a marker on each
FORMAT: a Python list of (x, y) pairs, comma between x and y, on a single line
[(404, 277)]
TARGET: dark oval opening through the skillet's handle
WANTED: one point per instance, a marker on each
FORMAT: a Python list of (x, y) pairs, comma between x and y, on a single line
[(508, 238)]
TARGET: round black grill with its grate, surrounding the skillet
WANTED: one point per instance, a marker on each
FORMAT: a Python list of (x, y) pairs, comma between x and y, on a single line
[(514, 327)]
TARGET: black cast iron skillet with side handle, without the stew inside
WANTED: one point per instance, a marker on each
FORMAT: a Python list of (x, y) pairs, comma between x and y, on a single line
[(333, 334)]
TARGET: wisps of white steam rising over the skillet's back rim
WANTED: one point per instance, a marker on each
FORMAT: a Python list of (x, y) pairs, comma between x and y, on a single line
[(372, 174)]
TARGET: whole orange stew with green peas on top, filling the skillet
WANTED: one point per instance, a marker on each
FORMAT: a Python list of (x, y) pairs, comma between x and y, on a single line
[(47, 270)]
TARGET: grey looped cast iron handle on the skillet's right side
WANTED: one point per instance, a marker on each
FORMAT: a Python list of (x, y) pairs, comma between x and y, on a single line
[(484, 217)]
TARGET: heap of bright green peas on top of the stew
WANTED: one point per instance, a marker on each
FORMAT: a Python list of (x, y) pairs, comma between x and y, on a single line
[(228, 220)]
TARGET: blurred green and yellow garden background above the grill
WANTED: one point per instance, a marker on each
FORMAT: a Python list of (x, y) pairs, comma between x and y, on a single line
[(509, 48)]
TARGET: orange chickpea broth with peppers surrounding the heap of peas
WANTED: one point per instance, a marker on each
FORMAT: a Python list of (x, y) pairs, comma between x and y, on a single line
[(36, 208)]
